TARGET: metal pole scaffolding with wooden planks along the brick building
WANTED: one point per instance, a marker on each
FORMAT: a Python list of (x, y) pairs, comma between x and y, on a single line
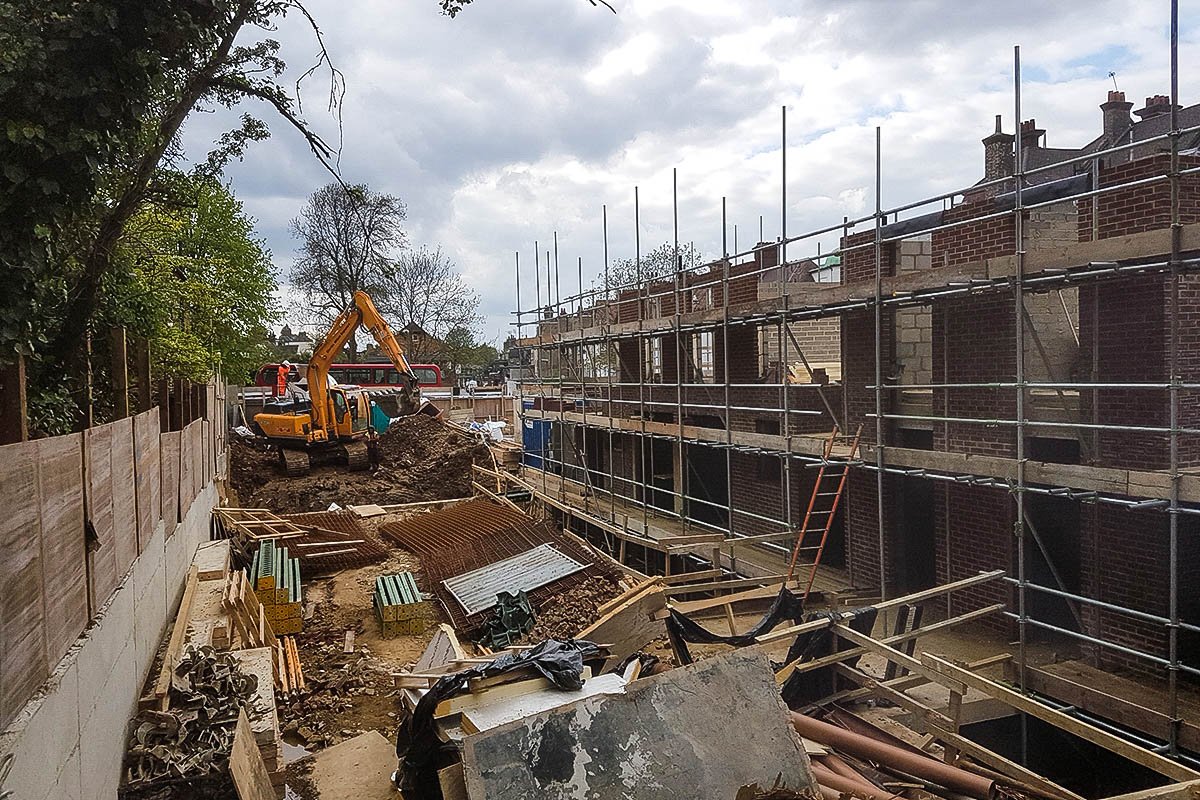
[(587, 350)]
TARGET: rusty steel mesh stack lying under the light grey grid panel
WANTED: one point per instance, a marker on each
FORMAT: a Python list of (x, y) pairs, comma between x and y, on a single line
[(477, 533)]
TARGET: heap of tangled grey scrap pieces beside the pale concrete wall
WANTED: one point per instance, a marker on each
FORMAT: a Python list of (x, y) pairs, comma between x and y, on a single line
[(184, 753)]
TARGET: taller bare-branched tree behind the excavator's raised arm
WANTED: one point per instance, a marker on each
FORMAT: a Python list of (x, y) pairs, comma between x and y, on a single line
[(350, 239)]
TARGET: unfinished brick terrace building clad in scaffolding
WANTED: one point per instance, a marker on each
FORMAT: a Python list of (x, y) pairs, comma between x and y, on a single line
[(1003, 377)]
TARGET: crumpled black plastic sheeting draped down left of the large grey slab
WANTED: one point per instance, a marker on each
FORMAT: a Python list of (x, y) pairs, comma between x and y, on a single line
[(417, 741)]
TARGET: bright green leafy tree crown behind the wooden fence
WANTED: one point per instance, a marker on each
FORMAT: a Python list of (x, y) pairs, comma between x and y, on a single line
[(197, 284)]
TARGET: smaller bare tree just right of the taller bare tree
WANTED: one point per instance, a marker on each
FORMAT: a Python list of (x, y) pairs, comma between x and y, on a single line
[(425, 291)]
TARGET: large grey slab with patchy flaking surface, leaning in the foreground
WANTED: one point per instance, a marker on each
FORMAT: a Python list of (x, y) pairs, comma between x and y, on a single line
[(705, 730)]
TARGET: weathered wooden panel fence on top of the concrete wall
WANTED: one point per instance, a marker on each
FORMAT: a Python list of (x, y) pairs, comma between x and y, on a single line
[(75, 514)]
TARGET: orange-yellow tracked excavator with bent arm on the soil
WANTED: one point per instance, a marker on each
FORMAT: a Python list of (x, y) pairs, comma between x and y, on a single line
[(334, 423)]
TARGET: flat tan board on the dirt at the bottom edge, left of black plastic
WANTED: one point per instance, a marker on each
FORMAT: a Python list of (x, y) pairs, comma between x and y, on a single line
[(357, 769)]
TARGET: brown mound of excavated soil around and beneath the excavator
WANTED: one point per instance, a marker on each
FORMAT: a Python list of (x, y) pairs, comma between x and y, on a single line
[(421, 459)]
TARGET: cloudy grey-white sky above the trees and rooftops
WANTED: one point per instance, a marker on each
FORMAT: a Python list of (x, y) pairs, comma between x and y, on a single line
[(523, 118)]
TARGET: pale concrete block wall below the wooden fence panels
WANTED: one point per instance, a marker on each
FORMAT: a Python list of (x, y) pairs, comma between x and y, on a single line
[(69, 742)]
